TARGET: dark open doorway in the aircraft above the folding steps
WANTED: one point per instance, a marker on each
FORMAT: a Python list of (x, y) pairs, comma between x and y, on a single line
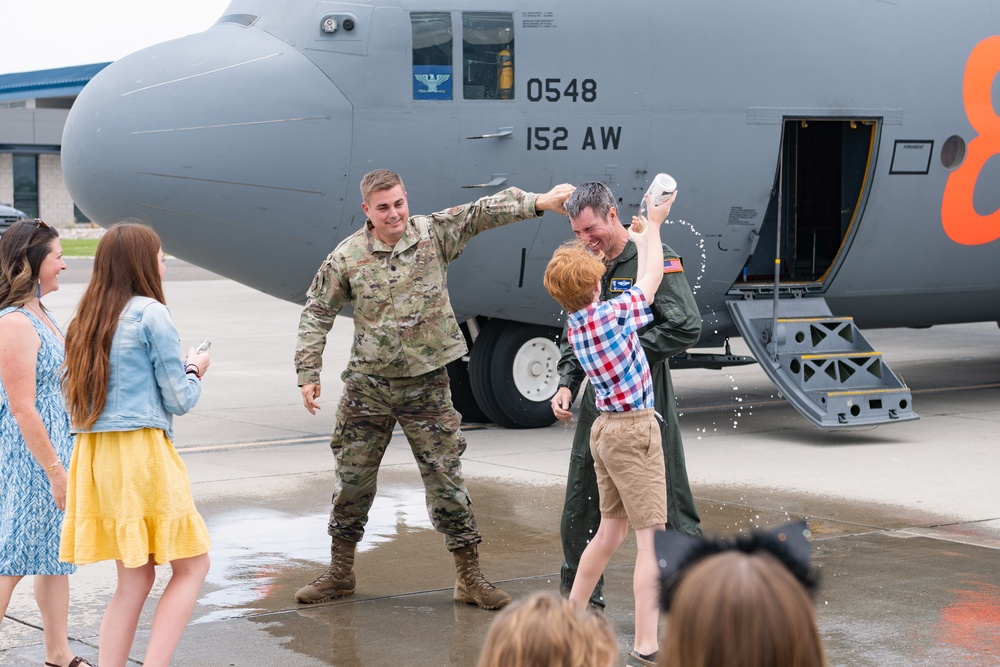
[(820, 187)]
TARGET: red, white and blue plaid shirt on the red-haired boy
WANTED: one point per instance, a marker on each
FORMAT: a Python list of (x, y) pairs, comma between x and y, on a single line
[(605, 338)]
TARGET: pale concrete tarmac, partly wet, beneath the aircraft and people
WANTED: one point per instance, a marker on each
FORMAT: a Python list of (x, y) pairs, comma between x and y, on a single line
[(906, 517)]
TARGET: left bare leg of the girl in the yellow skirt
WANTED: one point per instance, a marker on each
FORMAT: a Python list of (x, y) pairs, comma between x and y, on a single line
[(122, 615)]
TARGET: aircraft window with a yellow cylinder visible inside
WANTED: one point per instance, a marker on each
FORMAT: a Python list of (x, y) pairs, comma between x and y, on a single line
[(488, 55)]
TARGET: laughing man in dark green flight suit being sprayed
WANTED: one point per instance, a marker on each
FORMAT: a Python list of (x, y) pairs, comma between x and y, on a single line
[(676, 326)]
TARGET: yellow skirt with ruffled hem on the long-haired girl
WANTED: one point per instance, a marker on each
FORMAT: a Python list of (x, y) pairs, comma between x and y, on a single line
[(129, 499)]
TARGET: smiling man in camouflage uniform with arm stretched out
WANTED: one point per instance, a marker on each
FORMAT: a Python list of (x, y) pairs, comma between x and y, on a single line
[(393, 272)]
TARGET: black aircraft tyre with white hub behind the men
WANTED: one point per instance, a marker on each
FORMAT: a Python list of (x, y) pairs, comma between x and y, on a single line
[(513, 373)]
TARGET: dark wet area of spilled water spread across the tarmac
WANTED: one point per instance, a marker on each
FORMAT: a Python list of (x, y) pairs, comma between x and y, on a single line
[(883, 600)]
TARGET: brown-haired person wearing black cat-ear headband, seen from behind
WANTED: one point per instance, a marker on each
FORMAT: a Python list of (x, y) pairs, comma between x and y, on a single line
[(742, 602)]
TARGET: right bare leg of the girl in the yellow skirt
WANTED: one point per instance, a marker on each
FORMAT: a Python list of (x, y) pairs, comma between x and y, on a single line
[(174, 608)]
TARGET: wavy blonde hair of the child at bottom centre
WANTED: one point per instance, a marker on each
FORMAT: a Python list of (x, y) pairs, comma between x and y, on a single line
[(546, 630)]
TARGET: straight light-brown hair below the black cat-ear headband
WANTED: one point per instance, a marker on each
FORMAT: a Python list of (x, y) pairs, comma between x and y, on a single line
[(742, 610)]
